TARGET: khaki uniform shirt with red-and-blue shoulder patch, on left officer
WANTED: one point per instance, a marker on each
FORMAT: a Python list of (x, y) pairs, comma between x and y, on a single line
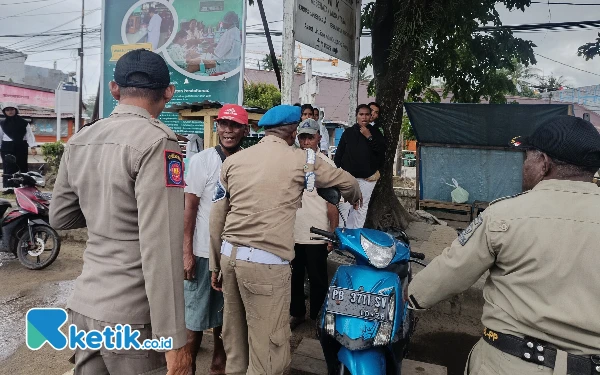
[(113, 179)]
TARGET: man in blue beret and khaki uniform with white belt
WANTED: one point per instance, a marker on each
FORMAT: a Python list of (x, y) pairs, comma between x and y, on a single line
[(252, 239)]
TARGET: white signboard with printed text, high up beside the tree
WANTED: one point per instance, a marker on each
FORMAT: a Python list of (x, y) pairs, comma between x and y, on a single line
[(328, 26)]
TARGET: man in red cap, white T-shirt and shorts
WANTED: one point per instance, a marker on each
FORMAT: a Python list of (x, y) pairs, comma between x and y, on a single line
[(204, 305)]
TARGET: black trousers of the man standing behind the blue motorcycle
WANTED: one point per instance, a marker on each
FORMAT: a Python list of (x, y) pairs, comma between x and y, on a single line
[(313, 258)]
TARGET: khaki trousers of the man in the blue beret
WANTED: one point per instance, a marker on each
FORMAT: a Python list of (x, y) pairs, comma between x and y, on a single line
[(256, 328)]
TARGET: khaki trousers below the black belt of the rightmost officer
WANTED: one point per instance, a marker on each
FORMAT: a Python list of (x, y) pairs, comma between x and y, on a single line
[(487, 360)]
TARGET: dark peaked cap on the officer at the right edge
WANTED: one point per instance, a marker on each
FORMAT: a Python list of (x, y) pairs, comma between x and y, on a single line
[(565, 138)]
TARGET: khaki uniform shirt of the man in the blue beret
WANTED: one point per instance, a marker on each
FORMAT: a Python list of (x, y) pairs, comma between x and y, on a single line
[(265, 184)]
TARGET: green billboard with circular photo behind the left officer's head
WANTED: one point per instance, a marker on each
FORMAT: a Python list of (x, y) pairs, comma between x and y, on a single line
[(201, 41)]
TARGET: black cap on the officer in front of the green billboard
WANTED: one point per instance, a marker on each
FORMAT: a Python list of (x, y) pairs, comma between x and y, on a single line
[(146, 63)]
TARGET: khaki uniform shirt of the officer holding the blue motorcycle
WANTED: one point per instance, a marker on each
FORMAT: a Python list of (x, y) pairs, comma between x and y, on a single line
[(541, 249)]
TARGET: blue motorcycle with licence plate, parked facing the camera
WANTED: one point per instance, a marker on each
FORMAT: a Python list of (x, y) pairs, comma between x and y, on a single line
[(365, 324)]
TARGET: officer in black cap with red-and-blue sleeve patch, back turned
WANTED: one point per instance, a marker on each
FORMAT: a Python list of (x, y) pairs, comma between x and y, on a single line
[(122, 177)]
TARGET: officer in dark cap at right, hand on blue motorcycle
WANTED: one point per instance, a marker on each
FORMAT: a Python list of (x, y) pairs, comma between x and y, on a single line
[(541, 250)]
